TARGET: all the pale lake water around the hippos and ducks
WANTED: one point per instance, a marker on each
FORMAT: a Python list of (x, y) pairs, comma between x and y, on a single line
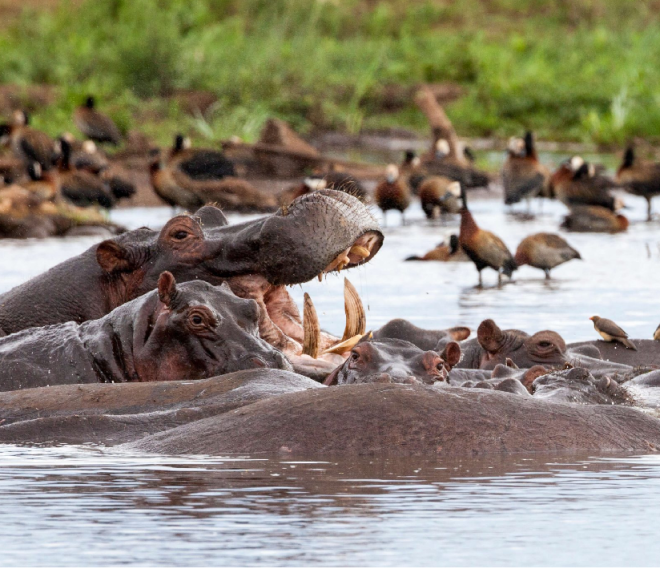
[(86, 505)]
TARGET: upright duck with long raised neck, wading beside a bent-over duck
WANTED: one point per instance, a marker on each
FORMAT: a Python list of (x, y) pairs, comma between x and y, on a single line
[(484, 248)]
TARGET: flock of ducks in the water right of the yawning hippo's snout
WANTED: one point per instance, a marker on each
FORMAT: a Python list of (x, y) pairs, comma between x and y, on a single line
[(441, 187)]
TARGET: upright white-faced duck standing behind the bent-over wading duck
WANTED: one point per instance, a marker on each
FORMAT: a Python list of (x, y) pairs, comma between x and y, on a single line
[(523, 176)]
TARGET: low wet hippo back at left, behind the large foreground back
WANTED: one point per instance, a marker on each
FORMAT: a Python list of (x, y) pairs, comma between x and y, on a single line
[(117, 413)]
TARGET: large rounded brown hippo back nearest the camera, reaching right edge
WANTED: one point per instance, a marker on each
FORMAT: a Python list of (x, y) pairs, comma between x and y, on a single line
[(394, 419)]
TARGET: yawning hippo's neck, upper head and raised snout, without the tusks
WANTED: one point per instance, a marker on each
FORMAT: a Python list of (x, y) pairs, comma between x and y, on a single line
[(313, 235)]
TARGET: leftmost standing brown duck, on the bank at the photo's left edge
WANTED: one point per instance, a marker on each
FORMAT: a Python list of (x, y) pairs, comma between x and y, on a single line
[(27, 143)]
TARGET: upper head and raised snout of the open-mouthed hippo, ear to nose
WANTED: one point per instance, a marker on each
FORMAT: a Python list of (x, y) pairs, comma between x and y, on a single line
[(317, 233)]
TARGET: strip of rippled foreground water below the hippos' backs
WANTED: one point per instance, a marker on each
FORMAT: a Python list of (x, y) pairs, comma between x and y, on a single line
[(68, 506)]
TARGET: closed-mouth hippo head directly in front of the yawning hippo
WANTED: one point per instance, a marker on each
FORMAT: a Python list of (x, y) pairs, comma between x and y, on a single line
[(195, 331)]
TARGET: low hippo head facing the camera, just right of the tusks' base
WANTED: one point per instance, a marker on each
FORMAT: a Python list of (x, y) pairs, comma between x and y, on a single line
[(394, 360)]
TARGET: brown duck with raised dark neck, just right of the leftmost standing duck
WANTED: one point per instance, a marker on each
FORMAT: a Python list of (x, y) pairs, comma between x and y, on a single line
[(80, 187)]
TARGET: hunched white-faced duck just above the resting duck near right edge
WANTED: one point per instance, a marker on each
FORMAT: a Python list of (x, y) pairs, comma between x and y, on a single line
[(577, 182)]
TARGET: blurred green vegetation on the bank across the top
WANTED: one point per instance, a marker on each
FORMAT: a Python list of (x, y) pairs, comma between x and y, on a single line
[(570, 69)]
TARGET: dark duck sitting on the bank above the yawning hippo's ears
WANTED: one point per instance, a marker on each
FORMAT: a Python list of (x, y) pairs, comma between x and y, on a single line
[(199, 163)]
